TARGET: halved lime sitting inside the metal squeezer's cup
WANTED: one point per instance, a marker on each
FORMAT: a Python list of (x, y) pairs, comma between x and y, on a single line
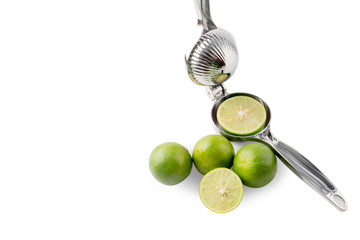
[(241, 115)]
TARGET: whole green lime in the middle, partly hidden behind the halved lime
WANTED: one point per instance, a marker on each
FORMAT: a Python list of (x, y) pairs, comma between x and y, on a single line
[(213, 151)]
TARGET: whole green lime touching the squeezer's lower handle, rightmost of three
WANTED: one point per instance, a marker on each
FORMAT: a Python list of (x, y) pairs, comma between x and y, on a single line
[(255, 164)]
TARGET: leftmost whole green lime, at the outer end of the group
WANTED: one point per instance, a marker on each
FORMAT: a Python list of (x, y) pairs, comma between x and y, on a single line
[(170, 163)]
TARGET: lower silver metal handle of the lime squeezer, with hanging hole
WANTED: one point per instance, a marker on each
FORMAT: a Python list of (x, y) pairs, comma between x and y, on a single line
[(306, 171)]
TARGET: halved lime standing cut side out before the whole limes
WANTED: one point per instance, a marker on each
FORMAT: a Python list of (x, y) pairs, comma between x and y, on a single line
[(221, 190)]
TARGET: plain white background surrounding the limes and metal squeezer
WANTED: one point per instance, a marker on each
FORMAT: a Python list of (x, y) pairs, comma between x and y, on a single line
[(89, 88)]
